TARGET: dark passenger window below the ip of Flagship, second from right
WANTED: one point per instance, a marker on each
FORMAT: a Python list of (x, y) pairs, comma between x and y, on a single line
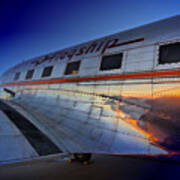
[(111, 62)]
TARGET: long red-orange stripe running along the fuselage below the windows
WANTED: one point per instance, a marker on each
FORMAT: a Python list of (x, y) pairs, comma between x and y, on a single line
[(98, 78)]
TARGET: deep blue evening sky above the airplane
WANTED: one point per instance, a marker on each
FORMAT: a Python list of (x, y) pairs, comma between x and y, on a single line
[(30, 28)]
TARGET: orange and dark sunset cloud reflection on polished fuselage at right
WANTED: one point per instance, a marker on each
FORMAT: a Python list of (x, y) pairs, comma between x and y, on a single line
[(159, 122)]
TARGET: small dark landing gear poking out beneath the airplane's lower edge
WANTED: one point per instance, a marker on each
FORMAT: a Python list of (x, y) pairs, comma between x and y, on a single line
[(84, 158)]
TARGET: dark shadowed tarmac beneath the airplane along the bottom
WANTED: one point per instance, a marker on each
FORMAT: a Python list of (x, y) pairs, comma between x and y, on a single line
[(102, 167)]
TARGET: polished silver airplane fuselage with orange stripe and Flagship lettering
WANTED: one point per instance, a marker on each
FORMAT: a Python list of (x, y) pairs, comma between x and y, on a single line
[(119, 94)]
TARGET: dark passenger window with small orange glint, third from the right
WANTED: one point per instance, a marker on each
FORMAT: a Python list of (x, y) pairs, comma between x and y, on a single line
[(72, 68)]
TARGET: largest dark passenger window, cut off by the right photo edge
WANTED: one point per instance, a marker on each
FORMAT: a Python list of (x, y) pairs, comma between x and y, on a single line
[(169, 53)]
